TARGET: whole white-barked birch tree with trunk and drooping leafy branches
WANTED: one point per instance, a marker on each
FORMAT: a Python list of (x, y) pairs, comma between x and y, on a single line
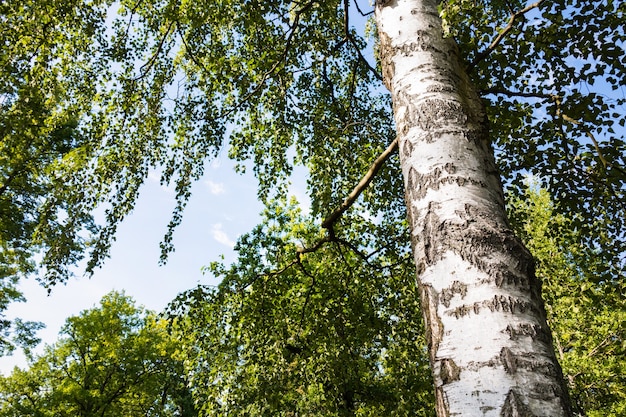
[(168, 85)]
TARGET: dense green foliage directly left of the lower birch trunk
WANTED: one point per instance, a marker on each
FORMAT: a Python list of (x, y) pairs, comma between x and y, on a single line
[(334, 332)]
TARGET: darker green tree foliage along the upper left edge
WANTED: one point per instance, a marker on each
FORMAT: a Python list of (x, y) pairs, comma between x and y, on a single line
[(42, 90)]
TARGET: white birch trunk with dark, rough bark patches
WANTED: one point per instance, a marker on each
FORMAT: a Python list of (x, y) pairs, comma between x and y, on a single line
[(490, 347)]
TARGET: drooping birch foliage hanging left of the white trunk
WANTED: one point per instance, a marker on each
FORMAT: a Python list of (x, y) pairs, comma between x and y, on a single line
[(168, 85)]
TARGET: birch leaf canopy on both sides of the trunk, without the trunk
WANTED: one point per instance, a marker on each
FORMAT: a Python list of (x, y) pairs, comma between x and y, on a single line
[(170, 84)]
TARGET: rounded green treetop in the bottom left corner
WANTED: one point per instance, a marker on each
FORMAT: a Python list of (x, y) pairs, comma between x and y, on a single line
[(114, 360)]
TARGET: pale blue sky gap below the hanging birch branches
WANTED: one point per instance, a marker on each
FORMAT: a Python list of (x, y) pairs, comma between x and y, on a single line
[(222, 207)]
